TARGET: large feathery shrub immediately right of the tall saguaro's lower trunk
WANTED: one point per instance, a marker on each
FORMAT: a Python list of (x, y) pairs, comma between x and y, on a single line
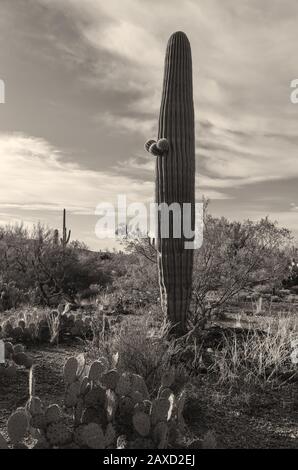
[(234, 257)]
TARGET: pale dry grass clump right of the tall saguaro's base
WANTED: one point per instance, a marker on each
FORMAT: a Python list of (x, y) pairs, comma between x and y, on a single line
[(258, 357)]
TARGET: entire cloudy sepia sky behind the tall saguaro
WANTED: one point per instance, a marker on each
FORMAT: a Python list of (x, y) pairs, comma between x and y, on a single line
[(83, 82)]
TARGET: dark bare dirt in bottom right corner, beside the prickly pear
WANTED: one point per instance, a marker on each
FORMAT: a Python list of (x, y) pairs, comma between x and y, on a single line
[(259, 420)]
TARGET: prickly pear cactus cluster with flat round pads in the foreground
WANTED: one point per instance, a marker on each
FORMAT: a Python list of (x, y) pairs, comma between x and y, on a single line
[(103, 408)]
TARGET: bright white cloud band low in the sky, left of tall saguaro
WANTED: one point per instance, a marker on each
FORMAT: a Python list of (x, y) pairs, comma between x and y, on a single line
[(36, 177)]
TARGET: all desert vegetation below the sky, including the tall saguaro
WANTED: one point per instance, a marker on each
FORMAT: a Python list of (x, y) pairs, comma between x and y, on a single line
[(154, 346)]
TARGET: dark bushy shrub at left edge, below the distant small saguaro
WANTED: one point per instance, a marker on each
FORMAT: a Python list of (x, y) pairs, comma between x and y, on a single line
[(39, 271)]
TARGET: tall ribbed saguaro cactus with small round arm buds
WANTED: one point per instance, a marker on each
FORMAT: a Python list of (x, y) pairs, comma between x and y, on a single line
[(175, 177)]
